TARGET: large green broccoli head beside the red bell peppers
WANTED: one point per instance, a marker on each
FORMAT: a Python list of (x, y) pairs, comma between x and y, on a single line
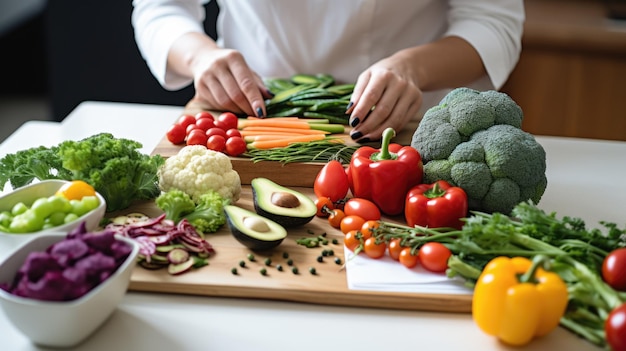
[(474, 140)]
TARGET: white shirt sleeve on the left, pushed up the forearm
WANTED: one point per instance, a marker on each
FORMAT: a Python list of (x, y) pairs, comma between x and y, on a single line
[(157, 24)]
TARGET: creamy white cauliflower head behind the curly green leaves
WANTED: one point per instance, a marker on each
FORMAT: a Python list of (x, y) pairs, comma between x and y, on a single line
[(196, 170)]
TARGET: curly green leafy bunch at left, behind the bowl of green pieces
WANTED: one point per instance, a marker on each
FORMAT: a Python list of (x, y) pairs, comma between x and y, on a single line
[(114, 167)]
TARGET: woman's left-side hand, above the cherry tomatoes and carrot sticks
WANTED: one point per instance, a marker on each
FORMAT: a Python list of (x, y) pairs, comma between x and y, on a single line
[(224, 82)]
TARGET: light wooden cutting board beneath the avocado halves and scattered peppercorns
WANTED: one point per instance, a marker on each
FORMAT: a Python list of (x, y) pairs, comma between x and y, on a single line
[(328, 286)]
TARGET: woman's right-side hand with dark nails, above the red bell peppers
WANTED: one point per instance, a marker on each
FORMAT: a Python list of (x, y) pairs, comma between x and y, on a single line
[(385, 95)]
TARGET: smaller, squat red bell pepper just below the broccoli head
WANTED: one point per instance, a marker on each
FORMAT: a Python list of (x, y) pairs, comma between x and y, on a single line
[(436, 205)]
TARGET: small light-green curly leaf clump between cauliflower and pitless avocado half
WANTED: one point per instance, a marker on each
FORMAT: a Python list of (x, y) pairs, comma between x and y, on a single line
[(208, 216)]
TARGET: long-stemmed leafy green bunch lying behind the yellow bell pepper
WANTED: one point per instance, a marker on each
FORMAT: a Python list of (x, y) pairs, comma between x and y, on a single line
[(577, 254)]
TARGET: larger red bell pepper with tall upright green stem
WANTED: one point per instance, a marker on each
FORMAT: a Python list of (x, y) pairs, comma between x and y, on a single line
[(384, 175)]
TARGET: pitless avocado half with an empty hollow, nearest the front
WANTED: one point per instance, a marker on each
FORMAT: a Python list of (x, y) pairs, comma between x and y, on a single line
[(253, 230)]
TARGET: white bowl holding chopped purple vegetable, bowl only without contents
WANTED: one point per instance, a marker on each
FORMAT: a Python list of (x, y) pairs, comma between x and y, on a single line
[(66, 323)]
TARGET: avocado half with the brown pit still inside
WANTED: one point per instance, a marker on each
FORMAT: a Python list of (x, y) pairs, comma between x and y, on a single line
[(283, 205)]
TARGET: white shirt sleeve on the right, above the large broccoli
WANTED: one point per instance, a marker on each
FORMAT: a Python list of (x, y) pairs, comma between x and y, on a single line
[(494, 29)]
